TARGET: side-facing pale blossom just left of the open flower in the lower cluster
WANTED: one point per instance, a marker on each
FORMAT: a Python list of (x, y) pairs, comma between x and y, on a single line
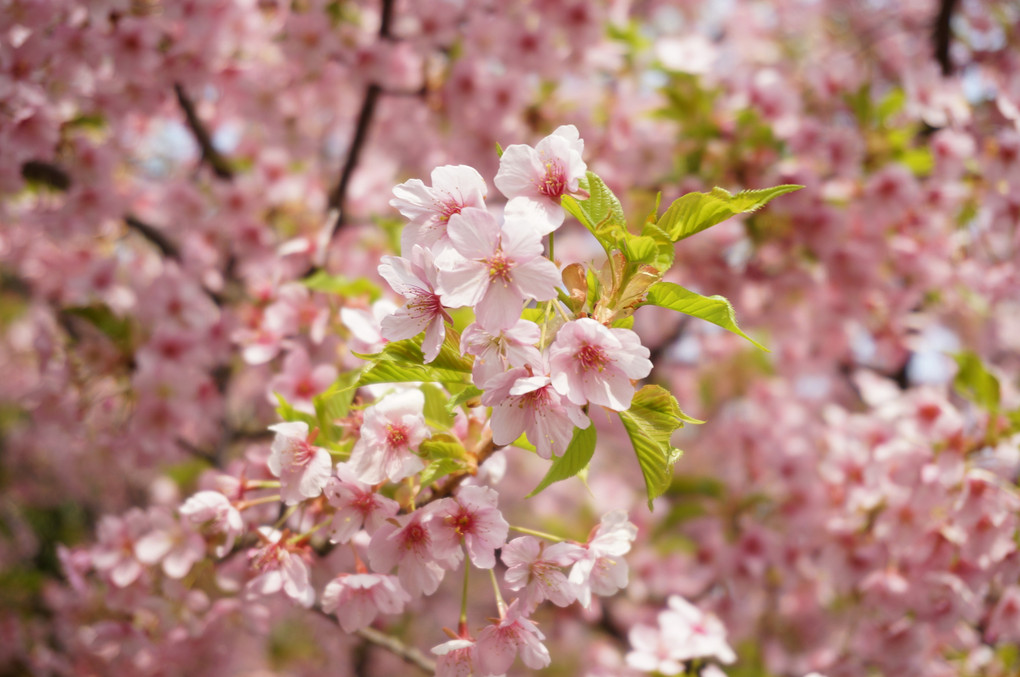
[(302, 468)]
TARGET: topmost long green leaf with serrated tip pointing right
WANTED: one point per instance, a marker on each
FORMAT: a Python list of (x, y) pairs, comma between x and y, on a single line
[(695, 213)]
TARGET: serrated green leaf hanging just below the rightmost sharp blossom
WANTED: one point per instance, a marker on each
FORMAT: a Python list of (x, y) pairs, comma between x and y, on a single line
[(650, 423)]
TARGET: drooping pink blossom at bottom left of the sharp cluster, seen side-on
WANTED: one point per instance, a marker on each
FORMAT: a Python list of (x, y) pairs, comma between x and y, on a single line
[(358, 599)]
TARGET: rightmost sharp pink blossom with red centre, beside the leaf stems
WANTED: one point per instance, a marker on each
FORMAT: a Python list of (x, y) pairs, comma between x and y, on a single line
[(592, 363)]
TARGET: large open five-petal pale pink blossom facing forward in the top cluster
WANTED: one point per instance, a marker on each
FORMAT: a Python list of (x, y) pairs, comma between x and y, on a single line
[(494, 270)]
